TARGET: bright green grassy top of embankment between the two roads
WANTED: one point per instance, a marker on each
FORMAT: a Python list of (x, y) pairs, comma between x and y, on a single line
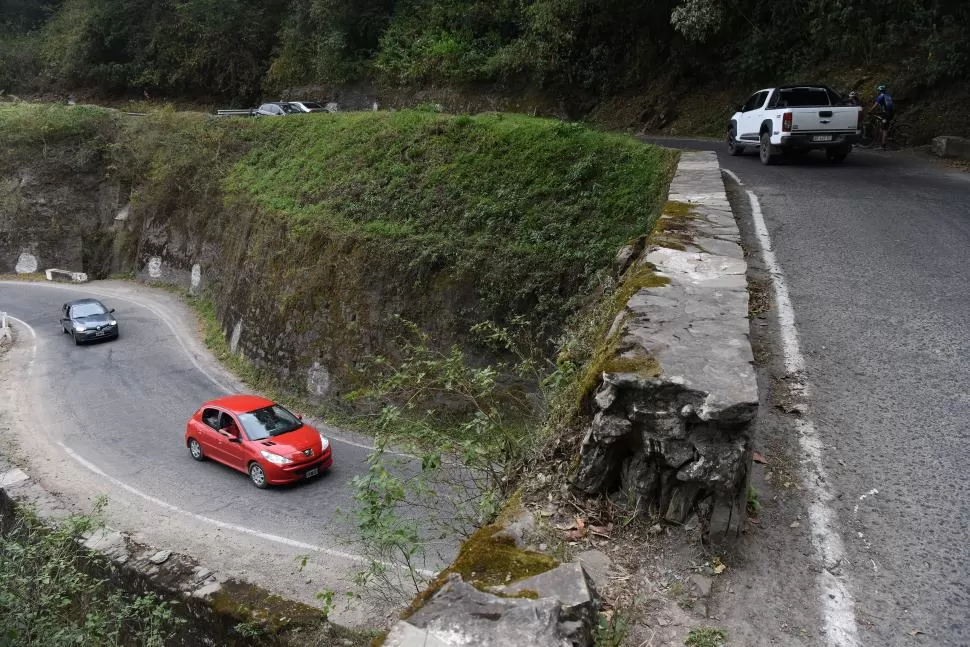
[(533, 208)]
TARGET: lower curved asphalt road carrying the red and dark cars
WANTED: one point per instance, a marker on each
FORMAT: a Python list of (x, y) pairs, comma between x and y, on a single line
[(109, 418)]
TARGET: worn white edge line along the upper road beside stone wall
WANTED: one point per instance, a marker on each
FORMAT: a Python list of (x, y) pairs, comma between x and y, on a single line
[(838, 607)]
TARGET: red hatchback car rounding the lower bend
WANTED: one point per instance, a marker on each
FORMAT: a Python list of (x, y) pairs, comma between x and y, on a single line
[(259, 437)]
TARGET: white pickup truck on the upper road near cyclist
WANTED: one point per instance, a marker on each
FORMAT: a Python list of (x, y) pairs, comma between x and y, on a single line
[(795, 119)]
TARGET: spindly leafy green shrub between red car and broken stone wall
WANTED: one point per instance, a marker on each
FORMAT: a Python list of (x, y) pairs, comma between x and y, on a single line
[(462, 430)]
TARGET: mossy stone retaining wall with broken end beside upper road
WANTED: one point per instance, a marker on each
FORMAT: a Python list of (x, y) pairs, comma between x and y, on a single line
[(672, 422)]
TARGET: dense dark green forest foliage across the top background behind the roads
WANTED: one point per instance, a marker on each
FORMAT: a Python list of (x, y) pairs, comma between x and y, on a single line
[(244, 48)]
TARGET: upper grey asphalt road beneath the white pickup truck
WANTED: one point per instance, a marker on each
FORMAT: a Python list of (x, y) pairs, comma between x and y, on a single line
[(876, 254)]
